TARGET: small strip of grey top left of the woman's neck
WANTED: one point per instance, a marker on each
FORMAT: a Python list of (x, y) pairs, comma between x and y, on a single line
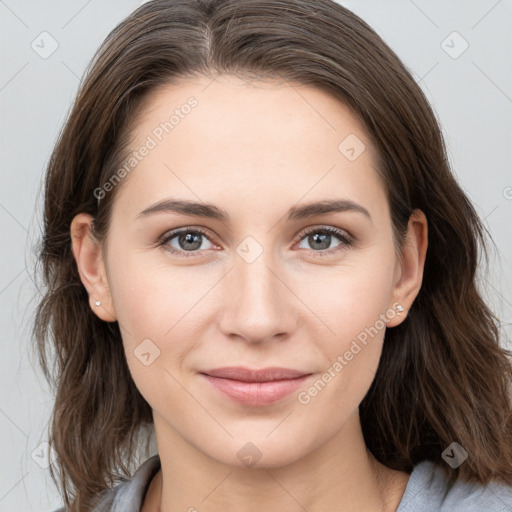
[(129, 494)]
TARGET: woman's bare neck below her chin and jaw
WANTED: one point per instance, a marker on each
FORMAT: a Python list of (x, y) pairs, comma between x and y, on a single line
[(340, 475)]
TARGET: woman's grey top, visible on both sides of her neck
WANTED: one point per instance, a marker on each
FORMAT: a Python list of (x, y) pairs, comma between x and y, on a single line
[(428, 490)]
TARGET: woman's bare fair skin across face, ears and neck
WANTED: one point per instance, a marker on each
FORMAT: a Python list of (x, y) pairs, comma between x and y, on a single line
[(255, 150)]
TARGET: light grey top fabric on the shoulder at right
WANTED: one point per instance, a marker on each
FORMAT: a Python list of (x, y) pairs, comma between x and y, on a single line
[(430, 490)]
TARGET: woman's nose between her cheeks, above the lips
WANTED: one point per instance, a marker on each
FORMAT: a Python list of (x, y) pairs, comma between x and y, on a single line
[(259, 305)]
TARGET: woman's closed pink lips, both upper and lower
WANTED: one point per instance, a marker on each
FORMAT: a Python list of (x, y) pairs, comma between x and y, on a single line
[(255, 387)]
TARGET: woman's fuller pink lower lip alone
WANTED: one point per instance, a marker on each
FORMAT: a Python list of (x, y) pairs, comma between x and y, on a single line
[(256, 393)]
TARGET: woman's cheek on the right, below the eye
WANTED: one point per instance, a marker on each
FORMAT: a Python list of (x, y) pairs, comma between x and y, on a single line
[(355, 307)]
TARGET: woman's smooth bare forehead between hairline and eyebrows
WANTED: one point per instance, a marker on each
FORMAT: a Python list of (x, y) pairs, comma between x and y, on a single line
[(228, 136)]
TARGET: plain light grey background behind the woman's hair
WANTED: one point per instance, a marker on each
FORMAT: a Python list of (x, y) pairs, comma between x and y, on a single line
[(471, 94)]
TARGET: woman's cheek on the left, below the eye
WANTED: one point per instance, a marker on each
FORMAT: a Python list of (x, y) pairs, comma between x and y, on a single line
[(157, 311)]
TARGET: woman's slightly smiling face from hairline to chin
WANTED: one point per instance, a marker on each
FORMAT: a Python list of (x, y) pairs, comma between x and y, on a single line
[(251, 277)]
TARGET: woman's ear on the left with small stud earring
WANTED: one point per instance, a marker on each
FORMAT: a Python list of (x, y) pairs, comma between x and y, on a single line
[(89, 260)]
